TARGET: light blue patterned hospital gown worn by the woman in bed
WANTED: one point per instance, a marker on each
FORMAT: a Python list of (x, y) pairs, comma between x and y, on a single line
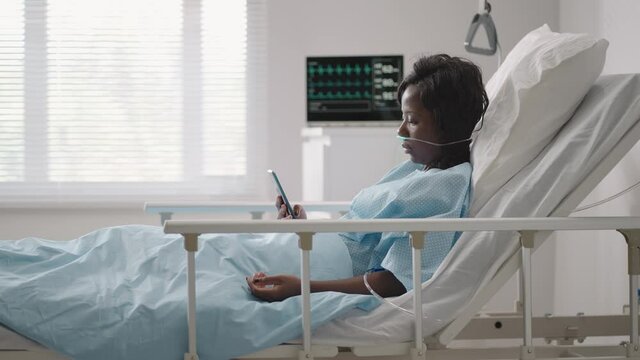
[(408, 192)]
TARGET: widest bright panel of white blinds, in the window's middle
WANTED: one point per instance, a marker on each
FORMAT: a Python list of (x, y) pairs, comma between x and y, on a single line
[(114, 90)]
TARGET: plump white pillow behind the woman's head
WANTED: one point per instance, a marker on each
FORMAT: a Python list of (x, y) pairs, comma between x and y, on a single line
[(532, 94)]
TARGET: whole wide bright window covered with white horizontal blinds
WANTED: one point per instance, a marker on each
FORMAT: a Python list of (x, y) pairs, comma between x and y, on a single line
[(130, 97)]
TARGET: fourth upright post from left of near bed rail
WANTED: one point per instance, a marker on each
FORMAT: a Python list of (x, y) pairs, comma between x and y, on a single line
[(527, 350)]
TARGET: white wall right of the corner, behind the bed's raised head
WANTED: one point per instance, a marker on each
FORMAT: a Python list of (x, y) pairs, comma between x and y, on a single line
[(592, 266)]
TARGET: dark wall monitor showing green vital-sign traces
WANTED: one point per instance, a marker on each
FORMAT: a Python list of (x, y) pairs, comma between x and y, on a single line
[(353, 89)]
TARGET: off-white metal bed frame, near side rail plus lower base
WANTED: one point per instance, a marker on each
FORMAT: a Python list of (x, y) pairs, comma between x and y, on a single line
[(528, 228)]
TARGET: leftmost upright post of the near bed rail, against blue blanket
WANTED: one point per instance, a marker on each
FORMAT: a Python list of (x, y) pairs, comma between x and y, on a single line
[(191, 246)]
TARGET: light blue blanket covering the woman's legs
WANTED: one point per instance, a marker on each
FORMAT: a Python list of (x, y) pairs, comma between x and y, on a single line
[(121, 292)]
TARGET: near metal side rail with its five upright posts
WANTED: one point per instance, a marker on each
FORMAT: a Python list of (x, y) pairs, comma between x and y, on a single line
[(629, 227)]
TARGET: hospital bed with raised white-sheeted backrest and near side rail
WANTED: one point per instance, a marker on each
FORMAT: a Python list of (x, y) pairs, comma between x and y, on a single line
[(606, 133)]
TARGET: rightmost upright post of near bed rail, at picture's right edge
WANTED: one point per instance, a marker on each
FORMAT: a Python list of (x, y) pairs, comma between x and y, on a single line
[(632, 236)]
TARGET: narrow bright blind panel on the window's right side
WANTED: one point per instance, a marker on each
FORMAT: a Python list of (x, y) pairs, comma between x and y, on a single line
[(224, 81)]
